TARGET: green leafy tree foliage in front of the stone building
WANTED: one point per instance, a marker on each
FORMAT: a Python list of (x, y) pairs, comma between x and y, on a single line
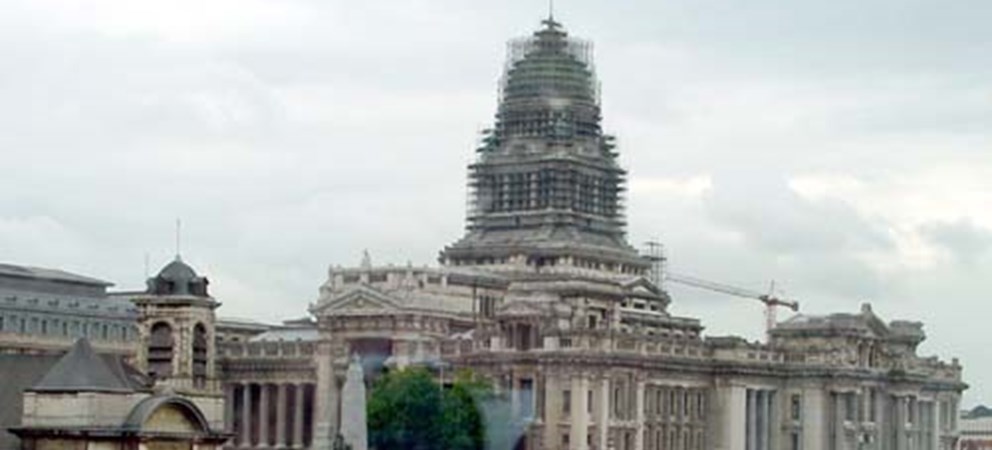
[(408, 410)]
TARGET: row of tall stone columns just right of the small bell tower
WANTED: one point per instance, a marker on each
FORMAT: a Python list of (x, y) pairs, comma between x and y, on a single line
[(269, 415)]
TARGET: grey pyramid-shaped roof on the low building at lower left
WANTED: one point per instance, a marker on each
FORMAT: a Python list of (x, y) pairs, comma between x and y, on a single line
[(82, 370)]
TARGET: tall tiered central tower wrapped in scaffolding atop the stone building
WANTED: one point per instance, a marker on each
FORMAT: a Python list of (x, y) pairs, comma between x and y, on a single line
[(546, 188)]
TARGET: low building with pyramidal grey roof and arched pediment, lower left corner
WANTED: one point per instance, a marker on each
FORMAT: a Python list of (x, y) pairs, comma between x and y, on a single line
[(84, 402)]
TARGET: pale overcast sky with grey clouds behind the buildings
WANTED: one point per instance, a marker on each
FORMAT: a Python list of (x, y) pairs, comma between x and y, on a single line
[(839, 148)]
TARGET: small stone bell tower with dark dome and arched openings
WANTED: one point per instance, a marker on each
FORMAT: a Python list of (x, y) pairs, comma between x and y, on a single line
[(176, 324)]
